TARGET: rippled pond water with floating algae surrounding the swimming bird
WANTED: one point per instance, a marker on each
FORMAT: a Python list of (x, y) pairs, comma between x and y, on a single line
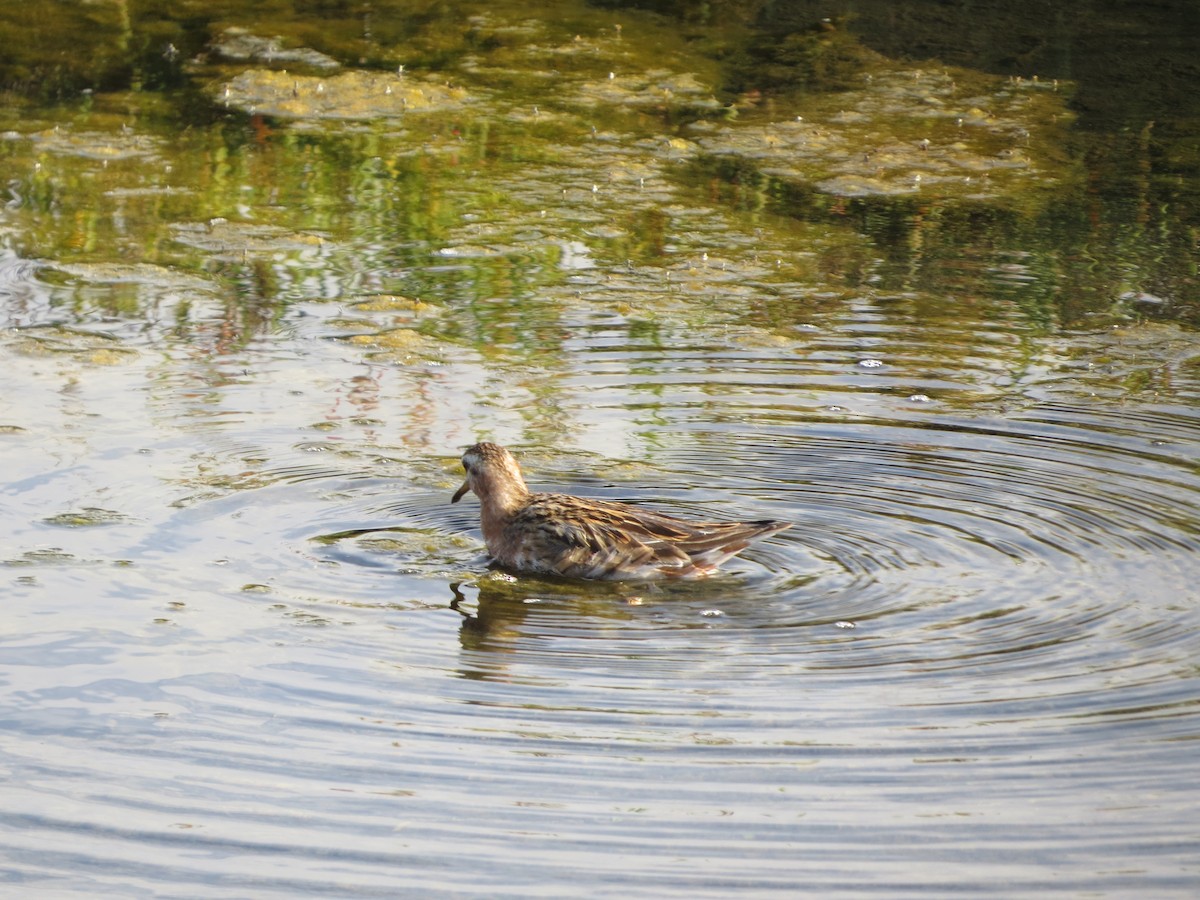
[(250, 650)]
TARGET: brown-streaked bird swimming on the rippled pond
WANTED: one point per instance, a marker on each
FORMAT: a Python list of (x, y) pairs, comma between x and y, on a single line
[(581, 538)]
